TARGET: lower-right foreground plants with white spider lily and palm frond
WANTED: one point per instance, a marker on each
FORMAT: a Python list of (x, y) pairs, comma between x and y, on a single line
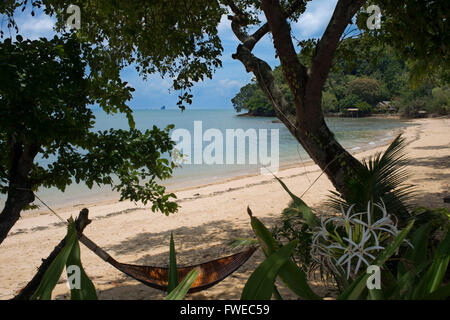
[(412, 247)]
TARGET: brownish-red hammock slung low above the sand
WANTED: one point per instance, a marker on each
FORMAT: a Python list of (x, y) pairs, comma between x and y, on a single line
[(211, 272)]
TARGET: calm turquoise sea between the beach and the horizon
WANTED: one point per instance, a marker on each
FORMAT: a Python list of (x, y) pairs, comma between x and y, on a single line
[(353, 133)]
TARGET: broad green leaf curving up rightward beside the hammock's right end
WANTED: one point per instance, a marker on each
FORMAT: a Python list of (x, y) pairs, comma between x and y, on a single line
[(260, 285)]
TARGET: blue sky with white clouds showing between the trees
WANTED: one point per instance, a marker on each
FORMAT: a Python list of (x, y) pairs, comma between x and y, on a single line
[(226, 82)]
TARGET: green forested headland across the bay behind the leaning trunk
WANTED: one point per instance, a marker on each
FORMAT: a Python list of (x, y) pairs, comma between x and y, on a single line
[(361, 80)]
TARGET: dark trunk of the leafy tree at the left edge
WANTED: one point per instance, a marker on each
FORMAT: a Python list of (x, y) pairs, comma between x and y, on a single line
[(19, 194)]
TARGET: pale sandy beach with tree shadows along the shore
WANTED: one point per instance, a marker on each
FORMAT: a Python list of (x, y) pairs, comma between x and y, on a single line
[(208, 218)]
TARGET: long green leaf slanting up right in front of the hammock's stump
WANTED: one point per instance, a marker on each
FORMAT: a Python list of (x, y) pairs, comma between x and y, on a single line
[(54, 271)]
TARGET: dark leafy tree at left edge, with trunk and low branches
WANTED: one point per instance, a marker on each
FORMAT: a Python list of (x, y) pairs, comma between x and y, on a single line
[(45, 114)]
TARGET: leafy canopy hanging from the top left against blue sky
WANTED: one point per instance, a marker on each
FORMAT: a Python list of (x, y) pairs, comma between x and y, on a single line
[(177, 39)]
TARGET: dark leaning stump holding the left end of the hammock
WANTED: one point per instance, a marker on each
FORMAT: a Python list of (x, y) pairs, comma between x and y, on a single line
[(27, 292)]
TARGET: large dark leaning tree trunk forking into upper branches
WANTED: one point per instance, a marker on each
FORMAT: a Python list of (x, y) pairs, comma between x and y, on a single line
[(305, 121)]
